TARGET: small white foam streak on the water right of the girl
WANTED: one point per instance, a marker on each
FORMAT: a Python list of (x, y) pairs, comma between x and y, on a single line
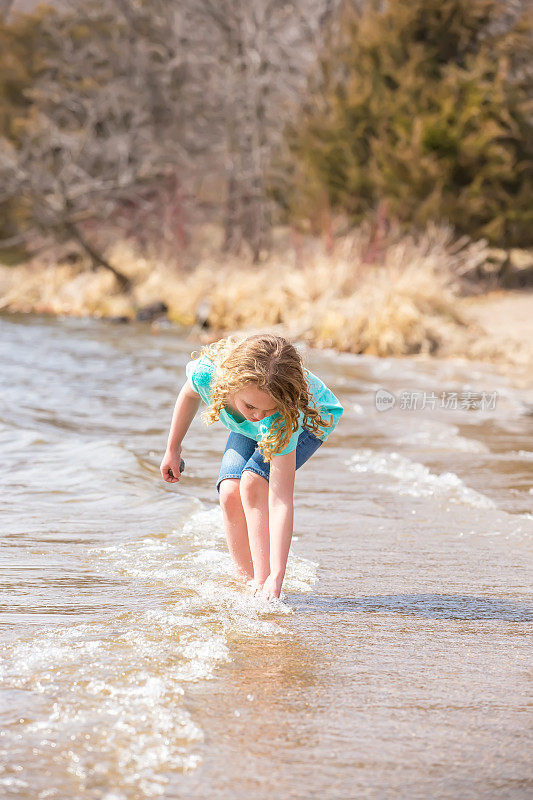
[(416, 480)]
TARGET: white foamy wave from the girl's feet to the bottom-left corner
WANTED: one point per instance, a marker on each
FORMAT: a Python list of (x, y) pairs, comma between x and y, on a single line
[(183, 607)]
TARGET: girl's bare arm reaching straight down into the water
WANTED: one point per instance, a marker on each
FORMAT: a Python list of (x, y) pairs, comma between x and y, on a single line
[(280, 519)]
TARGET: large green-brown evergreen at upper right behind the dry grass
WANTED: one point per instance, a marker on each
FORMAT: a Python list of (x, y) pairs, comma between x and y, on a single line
[(426, 104)]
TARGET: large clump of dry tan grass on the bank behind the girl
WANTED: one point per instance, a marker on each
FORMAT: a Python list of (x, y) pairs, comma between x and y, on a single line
[(400, 304)]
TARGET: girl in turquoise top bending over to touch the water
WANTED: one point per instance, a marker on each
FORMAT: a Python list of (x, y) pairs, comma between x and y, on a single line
[(278, 414)]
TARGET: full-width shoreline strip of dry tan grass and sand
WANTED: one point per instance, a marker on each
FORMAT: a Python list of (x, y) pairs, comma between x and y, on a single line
[(401, 297)]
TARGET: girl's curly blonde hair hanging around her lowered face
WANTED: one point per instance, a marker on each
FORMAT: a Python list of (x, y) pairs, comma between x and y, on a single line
[(274, 365)]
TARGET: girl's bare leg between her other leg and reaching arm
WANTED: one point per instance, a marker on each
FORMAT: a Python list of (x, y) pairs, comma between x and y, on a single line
[(254, 496)]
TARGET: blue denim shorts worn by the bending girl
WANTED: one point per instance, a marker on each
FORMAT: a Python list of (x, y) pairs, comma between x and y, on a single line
[(242, 453)]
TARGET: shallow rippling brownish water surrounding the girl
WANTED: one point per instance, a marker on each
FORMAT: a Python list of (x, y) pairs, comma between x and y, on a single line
[(134, 666)]
